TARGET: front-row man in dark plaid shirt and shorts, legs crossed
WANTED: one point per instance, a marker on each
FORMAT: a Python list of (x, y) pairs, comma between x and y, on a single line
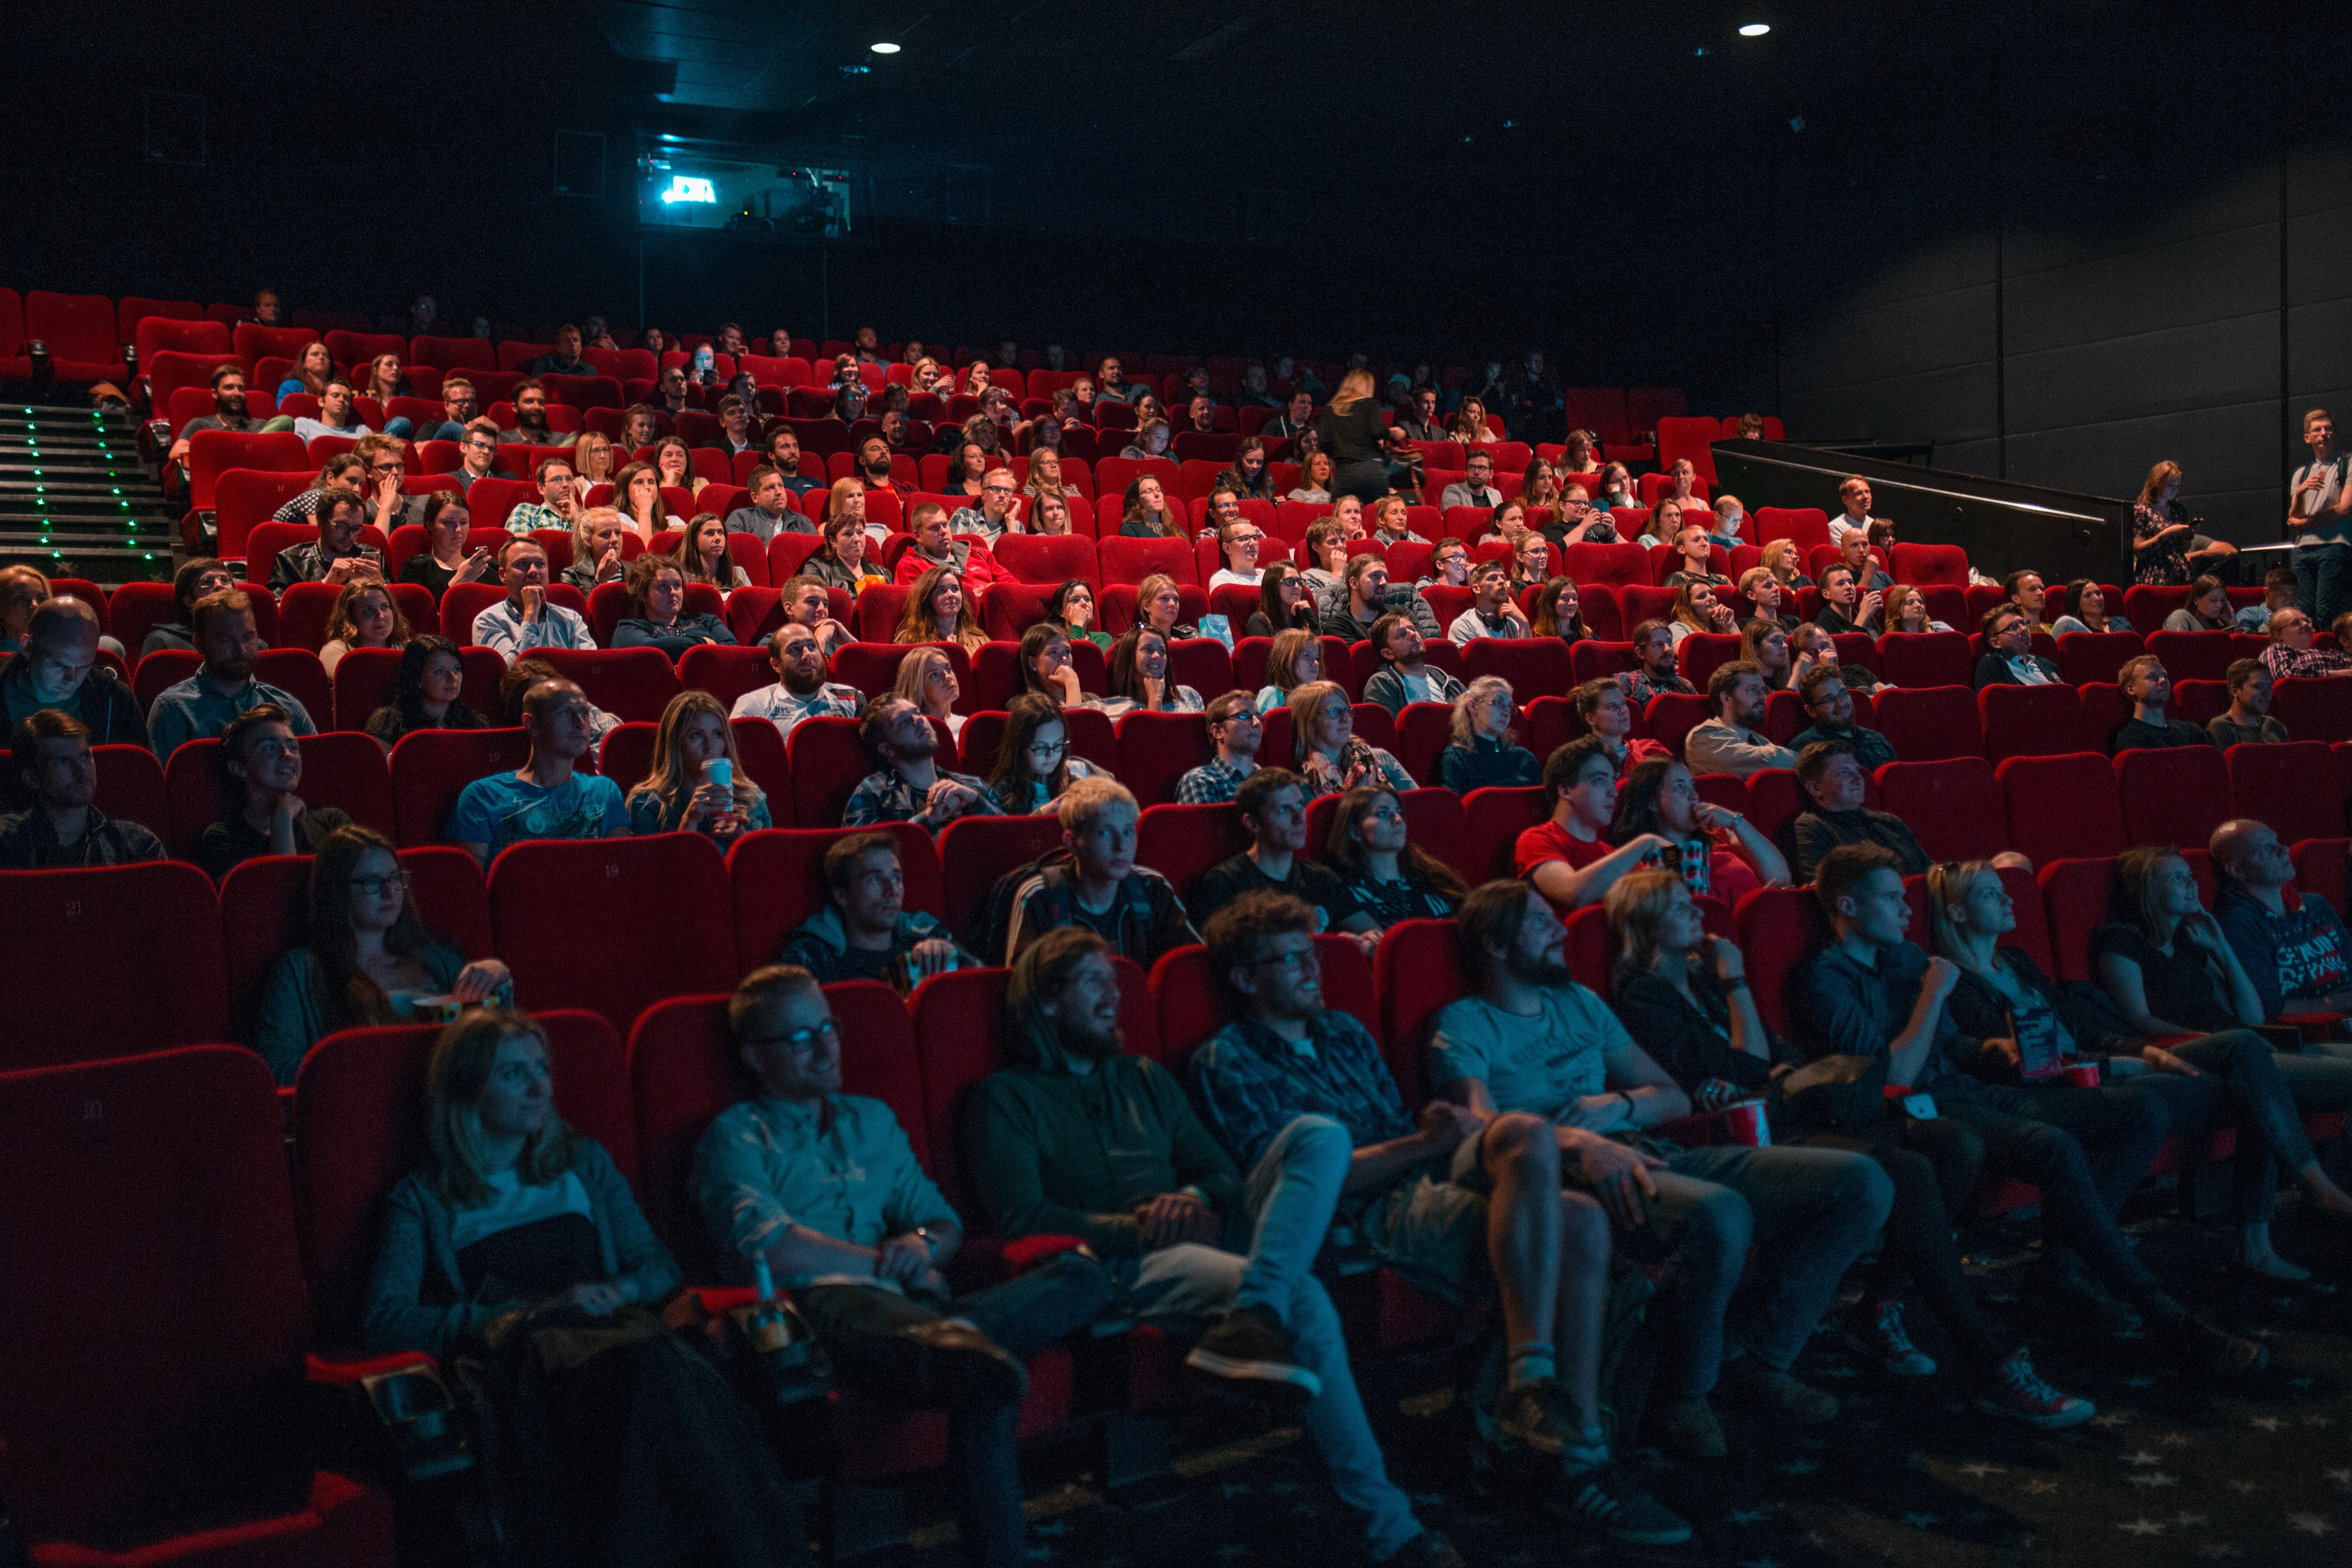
[(1441, 1198)]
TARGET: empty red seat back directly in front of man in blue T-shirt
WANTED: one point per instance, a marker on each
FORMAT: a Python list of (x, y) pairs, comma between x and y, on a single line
[(540, 887)]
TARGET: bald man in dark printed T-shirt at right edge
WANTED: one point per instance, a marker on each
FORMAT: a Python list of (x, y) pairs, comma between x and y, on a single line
[(2292, 944)]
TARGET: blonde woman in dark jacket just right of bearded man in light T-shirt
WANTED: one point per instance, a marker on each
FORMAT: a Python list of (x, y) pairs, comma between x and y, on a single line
[(1685, 1000)]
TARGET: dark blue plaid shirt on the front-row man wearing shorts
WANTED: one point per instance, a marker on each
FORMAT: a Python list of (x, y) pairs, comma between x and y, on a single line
[(1250, 1085)]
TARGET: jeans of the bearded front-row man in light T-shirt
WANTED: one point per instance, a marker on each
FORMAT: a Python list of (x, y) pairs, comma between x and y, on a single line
[(1808, 1212)]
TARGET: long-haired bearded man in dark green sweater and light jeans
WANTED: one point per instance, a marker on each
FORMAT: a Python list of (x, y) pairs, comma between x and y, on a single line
[(1078, 1139)]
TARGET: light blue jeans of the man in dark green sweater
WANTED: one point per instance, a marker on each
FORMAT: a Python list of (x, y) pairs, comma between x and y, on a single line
[(1276, 1235)]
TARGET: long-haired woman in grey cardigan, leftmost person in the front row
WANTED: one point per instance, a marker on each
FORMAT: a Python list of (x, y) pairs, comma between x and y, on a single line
[(514, 1212)]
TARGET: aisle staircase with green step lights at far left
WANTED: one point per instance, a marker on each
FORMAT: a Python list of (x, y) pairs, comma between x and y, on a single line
[(76, 500)]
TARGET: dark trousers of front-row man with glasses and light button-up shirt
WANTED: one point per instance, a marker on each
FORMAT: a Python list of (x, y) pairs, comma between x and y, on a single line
[(1022, 1315)]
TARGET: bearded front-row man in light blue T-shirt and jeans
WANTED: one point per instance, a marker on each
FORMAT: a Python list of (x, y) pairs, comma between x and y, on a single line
[(1530, 1040)]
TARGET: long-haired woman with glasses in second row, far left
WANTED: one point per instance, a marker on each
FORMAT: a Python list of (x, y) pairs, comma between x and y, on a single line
[(368, 958)]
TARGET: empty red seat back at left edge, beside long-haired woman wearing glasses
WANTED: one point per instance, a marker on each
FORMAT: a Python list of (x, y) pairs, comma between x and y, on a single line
[(109, 960)]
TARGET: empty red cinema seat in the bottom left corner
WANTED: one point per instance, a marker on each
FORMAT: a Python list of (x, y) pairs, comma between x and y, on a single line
[(156, 1294)]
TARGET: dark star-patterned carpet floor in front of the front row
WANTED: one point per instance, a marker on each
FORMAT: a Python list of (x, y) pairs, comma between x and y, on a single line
[(2172, 1470)]
